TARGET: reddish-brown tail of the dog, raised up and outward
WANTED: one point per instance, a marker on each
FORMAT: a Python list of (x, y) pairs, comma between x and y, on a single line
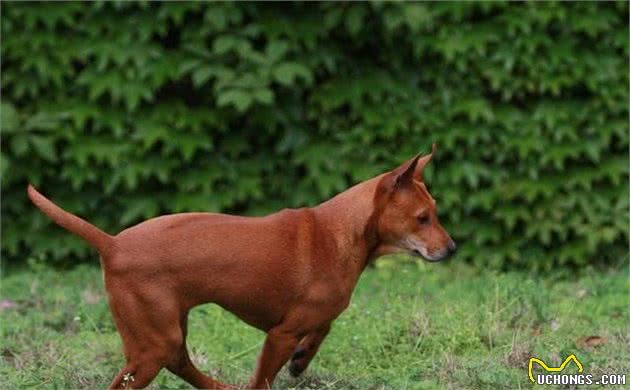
[(100, 240)]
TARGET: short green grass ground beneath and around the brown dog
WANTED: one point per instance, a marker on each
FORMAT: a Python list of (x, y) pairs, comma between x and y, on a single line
[(410, 326)]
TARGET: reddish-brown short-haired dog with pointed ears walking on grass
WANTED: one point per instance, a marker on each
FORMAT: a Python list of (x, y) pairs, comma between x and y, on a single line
[(289, 274)]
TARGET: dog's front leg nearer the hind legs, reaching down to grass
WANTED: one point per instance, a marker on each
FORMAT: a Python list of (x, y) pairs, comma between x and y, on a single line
[(277, 349)]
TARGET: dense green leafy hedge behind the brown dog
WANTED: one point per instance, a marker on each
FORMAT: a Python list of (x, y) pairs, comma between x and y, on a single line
[(123, 111)]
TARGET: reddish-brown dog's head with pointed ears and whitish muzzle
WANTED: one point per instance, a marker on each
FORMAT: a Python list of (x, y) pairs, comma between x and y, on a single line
[(407, 219)]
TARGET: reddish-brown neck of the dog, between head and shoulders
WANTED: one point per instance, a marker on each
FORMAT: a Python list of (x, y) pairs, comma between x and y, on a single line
[(350, 219)]
